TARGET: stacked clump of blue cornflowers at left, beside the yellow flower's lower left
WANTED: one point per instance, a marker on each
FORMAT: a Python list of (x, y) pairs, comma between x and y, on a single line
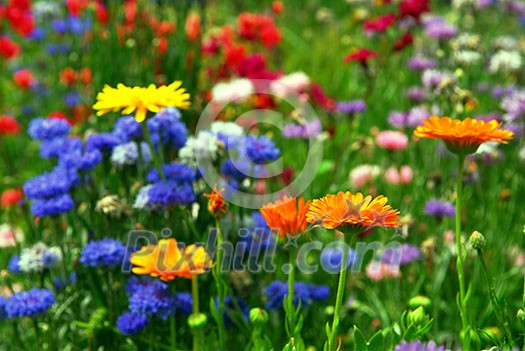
[(50, 191)]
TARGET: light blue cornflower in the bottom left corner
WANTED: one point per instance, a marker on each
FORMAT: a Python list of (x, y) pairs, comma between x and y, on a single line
[(29, 303)]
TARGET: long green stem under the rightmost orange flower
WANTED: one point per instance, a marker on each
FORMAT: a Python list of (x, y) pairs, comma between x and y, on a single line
[(462, 304)]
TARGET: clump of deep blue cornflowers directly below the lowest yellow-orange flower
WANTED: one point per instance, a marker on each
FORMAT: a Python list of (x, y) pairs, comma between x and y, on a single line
[(148, 299)]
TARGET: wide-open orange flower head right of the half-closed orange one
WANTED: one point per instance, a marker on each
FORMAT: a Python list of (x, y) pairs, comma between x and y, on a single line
[(354, 211)]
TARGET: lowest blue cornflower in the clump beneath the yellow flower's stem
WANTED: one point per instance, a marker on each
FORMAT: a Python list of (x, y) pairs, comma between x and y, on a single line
[(169, 193)]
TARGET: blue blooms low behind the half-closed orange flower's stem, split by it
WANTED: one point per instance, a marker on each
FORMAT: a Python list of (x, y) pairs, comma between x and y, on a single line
[(306, 293)]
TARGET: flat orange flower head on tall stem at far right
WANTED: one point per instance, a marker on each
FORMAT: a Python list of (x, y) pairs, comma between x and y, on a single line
[(462, 136)]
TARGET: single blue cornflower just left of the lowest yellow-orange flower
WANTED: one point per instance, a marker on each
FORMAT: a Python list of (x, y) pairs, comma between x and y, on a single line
[(103, 253)]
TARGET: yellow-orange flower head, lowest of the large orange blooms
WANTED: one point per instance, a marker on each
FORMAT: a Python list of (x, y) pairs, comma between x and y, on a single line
[(167, 261)]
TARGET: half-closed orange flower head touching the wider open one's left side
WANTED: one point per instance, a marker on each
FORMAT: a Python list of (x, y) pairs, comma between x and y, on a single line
[(287, 216)]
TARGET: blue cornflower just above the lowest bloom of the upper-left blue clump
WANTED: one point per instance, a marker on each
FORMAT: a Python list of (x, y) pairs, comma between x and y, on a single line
[(48, 185)]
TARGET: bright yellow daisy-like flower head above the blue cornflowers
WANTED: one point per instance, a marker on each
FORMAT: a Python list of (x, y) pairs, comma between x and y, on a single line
[(141, 100)]
